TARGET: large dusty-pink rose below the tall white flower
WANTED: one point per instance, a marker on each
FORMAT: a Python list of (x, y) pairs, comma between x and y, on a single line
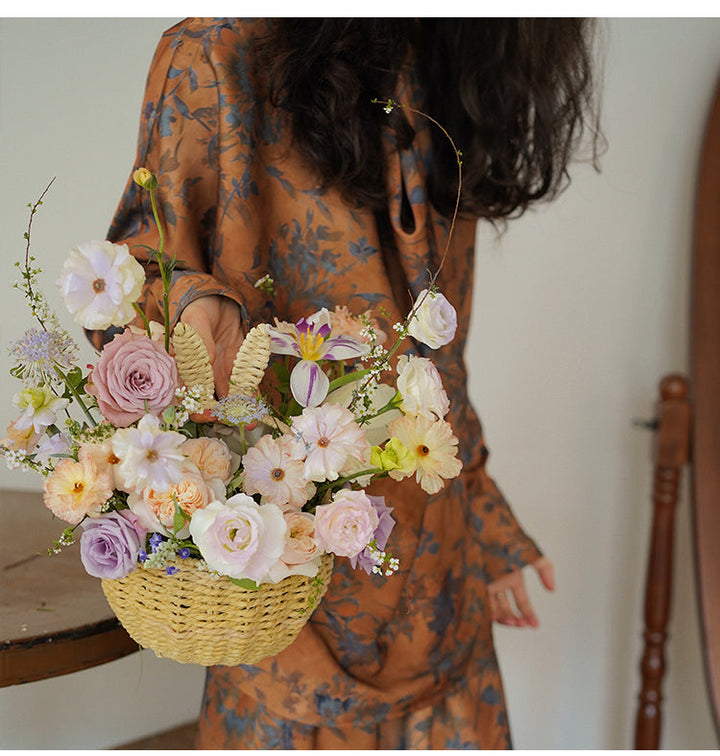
[(133, 376)]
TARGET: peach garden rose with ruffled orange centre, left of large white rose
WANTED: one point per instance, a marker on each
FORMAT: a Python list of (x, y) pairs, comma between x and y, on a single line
[(156, 509)]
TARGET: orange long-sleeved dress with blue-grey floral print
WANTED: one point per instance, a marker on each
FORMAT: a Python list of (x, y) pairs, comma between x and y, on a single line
[(384, 663)]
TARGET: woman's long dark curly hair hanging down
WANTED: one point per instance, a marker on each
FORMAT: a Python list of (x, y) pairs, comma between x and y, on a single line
[(515, 94)]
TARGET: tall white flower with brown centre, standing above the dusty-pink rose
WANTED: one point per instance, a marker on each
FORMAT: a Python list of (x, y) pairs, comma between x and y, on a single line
[(99, 282)]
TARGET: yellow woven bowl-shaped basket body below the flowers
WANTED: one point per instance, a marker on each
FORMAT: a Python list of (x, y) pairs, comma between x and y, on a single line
[(192, 618)]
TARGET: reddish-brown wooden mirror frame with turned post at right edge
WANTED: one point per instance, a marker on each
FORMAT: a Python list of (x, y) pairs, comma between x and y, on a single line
[(688, 429)]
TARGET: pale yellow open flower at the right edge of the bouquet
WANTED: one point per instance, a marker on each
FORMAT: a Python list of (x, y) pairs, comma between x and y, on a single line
[(433, 448)]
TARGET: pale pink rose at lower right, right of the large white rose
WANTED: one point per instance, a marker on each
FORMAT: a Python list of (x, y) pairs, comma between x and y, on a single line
[(347, 524)]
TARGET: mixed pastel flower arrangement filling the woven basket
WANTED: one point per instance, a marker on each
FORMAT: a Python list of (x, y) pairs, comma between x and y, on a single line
[(159, 475)]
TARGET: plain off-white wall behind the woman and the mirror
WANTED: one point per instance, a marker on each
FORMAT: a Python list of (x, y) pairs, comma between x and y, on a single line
[(581, 307)]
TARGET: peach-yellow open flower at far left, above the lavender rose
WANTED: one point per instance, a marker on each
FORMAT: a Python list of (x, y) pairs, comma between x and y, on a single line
[(76, 489)]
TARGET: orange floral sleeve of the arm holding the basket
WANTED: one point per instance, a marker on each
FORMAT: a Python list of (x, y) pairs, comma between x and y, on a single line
[(179, 142)]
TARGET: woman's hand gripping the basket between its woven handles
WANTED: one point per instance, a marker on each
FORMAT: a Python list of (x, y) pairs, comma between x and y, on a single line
[(217, 321)]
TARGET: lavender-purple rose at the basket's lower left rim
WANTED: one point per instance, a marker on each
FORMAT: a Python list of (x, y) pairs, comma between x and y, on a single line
[(110, 544)]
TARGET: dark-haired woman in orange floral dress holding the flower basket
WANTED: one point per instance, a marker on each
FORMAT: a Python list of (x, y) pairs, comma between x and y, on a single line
[(272, 158)]
